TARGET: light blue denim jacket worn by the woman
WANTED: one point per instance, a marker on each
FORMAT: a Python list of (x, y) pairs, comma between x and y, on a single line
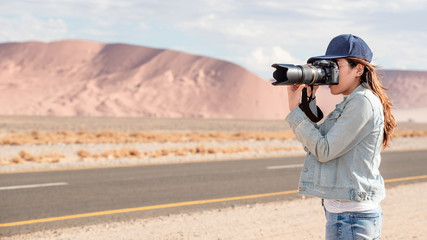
[(343, 153)]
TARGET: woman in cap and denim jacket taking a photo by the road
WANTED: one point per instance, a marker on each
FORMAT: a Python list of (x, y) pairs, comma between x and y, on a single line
[(343, 153)]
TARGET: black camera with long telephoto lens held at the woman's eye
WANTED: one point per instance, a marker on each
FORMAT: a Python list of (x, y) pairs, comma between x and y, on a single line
[(321, 72)]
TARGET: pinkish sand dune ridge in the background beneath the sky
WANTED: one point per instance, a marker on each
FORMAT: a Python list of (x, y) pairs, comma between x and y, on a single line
[(82, 78)]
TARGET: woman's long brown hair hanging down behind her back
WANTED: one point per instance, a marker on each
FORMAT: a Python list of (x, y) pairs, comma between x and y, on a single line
[(371, 80)]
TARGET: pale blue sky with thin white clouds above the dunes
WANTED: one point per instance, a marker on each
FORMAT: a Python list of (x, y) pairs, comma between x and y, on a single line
[(251, 33)]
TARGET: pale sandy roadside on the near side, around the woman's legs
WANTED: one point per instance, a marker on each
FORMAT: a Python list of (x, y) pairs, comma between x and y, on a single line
[(404, 218)]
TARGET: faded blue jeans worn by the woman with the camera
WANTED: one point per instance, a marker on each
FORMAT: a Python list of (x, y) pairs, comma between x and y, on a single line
[(354, 225)]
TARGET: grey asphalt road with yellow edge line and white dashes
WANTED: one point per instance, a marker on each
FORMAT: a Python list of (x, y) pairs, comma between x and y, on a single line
[(41, 200)]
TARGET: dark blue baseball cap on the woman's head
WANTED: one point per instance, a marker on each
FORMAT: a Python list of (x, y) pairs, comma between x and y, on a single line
[(346, 45)]
